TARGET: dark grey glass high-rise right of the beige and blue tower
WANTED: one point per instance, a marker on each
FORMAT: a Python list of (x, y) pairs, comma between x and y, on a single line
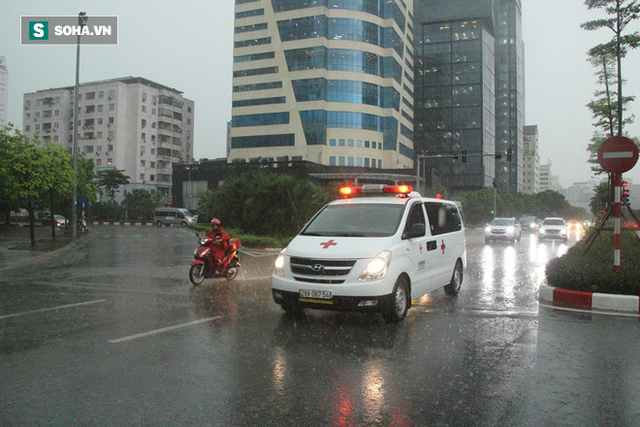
[(469, 103)]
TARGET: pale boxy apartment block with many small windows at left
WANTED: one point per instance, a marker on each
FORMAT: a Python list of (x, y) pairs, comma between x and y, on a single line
[(130, 124)]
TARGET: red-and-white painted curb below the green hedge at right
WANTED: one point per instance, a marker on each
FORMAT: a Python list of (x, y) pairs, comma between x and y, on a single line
[(590, 300)]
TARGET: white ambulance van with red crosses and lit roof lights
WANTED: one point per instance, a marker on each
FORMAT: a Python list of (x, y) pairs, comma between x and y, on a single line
[(373, 254)]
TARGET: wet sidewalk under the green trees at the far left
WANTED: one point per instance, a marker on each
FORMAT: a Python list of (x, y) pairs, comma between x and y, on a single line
[(15, 244)]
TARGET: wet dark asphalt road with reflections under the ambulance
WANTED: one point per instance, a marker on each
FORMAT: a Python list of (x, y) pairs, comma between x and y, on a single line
[(114, 334)]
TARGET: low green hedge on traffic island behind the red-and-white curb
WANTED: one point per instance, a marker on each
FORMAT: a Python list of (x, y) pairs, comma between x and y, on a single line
[(593, 271)]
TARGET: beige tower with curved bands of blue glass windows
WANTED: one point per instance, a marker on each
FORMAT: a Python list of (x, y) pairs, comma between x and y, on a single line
[(327, 81)]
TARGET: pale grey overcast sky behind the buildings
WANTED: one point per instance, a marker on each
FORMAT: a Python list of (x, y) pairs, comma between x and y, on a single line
[(188, 45)]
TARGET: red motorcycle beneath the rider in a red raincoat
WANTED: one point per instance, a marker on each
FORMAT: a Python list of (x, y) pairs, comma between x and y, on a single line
[(204, 265)]
